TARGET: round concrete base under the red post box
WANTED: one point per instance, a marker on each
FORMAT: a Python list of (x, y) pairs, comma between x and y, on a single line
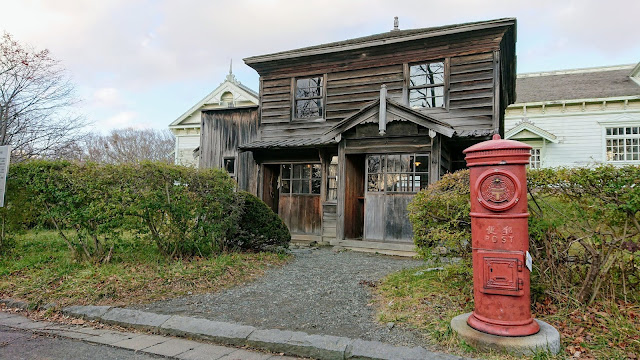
[(547, 339)]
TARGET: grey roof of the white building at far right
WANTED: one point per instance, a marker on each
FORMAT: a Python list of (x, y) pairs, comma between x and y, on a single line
[(591, 83)]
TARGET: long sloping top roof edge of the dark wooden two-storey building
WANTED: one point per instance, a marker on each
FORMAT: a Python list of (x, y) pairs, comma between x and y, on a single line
[(381, 39)]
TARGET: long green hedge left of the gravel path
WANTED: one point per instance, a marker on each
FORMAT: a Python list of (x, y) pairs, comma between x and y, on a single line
[(184, 211)]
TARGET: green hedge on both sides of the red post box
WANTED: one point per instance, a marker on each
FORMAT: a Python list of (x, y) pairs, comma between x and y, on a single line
[(584, 228)]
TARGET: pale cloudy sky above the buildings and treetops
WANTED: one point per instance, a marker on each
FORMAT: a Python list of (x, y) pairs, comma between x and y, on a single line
[(141, 43)]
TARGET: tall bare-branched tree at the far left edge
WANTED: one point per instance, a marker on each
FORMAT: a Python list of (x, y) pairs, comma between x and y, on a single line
[(36, 103)]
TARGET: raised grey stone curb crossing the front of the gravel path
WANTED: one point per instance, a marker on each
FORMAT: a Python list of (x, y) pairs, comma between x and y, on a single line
[(294, 343)]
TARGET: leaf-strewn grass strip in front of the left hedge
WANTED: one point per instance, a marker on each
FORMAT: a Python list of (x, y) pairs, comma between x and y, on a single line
[(39, 269)]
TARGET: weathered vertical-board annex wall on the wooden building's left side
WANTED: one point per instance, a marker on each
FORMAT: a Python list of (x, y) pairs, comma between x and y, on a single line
[(223, 131)]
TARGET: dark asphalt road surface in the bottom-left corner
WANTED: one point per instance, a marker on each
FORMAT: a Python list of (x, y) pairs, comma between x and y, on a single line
[(23, 344)]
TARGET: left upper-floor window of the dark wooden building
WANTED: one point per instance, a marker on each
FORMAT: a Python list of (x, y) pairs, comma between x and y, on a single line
[(308, 98)]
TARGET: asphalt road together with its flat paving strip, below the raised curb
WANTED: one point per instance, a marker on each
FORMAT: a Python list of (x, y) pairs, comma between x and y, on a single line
[(23, 338)]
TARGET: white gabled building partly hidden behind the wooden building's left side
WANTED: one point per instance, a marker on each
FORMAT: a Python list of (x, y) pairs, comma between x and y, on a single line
[(230, 94)]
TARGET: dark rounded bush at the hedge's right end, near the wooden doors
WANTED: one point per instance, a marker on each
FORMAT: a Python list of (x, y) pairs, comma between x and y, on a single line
[(259, 227)]
